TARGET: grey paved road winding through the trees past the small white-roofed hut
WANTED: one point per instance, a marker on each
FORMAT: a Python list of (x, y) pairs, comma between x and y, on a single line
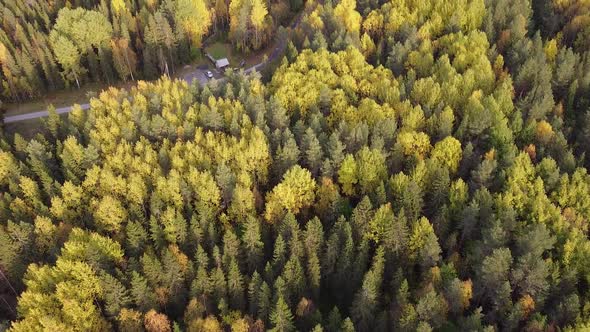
[(198, 74)]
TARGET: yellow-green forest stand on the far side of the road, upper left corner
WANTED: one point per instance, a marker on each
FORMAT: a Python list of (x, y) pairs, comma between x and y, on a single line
[(49, 45)]
